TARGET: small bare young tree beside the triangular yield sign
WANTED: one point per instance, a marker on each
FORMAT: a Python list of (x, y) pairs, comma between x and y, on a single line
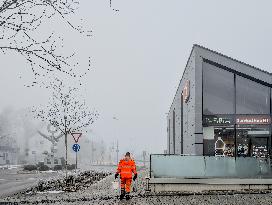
[(66, 110)]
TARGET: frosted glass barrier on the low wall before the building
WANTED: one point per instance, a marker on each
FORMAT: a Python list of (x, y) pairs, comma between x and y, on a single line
[(178, 166)]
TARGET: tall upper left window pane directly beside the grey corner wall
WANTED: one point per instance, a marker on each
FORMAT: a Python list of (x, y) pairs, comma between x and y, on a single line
[(218, 90)]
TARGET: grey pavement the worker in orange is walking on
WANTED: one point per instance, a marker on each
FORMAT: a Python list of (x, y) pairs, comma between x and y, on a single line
[(102, 193)]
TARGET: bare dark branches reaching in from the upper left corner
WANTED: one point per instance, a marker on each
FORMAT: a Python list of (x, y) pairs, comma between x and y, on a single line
[(19, 23)]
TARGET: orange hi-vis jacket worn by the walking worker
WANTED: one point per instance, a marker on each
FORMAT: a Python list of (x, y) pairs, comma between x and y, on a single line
[(126, 168)]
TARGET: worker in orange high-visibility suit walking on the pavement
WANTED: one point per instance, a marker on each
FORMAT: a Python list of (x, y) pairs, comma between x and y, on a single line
[(125, 168)]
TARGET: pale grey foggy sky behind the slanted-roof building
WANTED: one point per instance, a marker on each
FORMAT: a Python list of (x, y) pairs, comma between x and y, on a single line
[(138, 57)]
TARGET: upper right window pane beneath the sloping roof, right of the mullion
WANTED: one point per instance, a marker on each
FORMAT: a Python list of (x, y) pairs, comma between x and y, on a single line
[(251, 97)]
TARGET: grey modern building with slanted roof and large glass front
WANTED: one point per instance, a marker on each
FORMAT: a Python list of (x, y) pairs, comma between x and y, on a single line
[(222, 107)]
